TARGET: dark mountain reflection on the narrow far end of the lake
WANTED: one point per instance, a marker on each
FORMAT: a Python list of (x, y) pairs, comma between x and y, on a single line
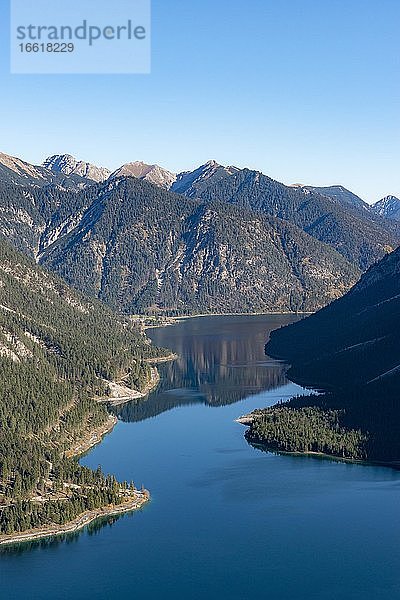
[(219, 362)]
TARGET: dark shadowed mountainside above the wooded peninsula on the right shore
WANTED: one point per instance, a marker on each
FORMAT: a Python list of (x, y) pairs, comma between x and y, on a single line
[(355, 339)]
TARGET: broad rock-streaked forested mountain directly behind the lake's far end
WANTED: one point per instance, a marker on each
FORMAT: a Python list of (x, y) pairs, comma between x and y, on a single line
[(138, 247)]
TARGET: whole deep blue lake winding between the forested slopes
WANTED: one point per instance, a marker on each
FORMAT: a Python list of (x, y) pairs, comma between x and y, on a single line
[(226, 521)]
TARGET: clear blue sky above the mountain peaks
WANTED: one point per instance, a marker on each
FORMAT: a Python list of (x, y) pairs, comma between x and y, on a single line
[(304, 90)]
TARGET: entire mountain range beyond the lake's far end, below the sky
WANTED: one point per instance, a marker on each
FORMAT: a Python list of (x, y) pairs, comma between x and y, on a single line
[(215, 239)]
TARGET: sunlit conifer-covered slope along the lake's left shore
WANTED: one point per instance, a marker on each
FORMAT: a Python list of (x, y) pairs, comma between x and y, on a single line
[(57, 352)]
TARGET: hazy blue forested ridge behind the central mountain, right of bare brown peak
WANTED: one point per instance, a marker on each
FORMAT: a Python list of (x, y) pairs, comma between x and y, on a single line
[(360, 236)]
